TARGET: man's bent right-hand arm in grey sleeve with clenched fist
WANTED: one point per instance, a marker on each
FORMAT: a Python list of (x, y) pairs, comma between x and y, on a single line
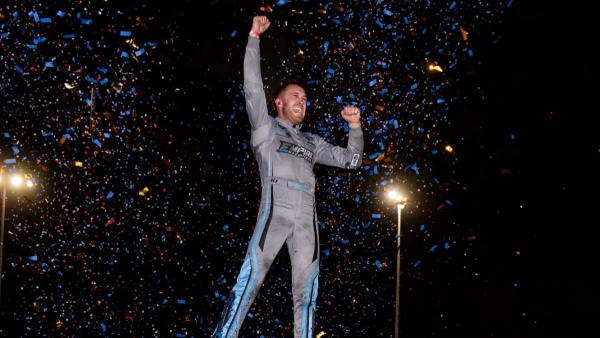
[(351, 156)]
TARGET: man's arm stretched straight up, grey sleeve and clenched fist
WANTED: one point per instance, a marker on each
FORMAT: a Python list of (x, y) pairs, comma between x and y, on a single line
[(256, 102)]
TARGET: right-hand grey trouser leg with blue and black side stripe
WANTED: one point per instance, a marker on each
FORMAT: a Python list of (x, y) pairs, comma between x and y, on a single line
[(303, 246)]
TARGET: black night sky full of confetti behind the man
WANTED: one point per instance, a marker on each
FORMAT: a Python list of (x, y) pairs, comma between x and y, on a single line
[(130, 119)]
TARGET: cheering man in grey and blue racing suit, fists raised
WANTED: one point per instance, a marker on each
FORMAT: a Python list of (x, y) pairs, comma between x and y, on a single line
[(286, 157)]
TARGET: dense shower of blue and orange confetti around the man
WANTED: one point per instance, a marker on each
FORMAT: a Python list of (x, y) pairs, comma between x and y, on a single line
[(146, 191)]
